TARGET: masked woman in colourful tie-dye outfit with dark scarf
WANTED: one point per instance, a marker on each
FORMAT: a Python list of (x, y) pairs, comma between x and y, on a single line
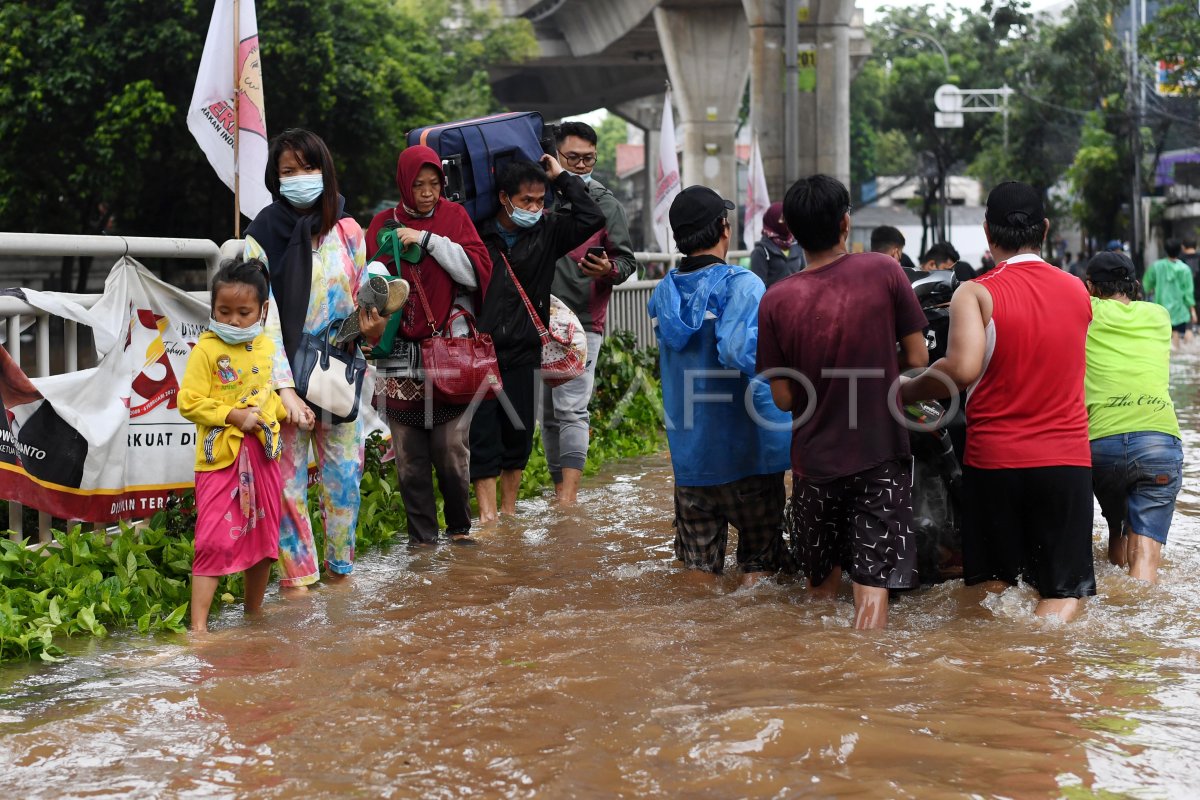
[(316, 255)]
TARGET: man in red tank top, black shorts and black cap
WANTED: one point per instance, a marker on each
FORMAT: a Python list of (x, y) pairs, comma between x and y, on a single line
[(1017, 346)]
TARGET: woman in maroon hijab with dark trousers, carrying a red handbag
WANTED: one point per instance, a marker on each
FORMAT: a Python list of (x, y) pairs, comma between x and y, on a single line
[(453, 273)]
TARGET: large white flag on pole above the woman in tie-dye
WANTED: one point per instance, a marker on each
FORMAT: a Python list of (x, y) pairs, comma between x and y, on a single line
[(211, 116)]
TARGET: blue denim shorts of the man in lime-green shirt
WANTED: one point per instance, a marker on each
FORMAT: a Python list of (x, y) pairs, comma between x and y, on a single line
[(1137, 478)]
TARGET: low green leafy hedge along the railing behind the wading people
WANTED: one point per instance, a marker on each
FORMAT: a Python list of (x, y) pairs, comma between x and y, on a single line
[(85, 582)]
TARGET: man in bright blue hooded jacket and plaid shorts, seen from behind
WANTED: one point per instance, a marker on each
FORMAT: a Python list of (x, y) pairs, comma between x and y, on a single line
[(729, 444)]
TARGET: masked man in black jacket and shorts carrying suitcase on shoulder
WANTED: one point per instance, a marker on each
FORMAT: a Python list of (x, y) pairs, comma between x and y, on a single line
[(525, 244)]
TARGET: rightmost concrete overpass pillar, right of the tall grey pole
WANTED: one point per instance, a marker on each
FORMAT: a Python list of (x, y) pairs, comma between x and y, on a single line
[(825, 111)]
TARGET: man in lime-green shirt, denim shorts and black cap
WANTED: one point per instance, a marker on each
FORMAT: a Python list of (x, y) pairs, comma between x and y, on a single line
[(1137, 453)]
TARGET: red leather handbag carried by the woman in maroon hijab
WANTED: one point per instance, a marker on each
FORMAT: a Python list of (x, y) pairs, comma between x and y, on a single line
[(459, 368)]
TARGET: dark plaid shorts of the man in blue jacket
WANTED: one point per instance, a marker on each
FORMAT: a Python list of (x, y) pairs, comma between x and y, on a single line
[(754, 506)]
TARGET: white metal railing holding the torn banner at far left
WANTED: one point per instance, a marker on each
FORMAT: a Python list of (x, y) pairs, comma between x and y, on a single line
[(14, 310)]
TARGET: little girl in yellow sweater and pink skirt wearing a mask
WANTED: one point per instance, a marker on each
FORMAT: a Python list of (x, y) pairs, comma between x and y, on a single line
[(227, 394)]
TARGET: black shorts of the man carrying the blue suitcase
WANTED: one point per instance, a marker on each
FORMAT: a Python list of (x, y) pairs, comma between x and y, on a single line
[(502, 438)]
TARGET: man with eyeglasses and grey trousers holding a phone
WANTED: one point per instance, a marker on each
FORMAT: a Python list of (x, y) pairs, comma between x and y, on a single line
[(584, 280)]
